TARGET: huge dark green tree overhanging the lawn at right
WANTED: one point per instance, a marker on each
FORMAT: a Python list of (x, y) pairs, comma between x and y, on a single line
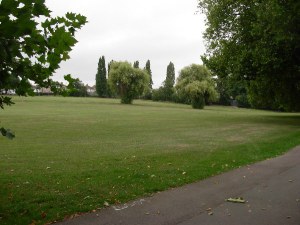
[(257, 42)]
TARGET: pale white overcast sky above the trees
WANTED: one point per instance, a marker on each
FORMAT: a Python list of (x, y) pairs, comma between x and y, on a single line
[(158, 30)]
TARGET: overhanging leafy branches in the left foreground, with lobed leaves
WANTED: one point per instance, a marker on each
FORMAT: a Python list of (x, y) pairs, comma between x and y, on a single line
[(32, 45)]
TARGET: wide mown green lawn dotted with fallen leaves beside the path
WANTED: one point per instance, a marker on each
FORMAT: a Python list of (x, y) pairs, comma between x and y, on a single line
[(72, 155)]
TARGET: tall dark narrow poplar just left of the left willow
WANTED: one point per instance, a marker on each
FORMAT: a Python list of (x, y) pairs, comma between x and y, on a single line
[(101, 80)]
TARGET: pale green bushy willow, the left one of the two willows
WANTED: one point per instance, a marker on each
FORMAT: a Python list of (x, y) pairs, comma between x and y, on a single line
[(126, 81)]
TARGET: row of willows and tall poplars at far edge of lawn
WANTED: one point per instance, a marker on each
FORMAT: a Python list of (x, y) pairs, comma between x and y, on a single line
[(194, 85)]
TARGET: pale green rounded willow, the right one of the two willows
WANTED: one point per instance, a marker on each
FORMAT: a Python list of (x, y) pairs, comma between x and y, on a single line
[(196, 86)]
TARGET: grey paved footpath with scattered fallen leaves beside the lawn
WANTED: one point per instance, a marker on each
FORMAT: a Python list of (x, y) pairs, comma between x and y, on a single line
[(271, 188)]
